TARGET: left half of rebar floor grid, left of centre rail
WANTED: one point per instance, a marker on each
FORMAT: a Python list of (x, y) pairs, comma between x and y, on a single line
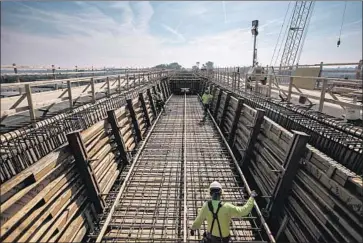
[(149, 209)]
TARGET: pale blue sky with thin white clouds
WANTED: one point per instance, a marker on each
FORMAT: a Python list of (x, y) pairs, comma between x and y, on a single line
[(144, 34)]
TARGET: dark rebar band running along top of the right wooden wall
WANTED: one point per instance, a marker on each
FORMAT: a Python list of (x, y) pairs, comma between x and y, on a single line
[(332, 136)]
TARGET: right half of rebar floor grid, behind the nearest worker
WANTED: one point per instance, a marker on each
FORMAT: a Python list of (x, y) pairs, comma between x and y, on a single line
[(208, 161)]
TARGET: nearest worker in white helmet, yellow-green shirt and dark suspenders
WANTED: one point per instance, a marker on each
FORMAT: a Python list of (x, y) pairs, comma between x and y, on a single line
[(219, 215)]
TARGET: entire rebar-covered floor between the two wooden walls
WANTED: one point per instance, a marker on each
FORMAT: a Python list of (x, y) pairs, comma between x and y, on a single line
[(153, 203)]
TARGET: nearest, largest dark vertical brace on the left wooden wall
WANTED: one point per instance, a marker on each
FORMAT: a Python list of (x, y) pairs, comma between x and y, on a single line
[(85, 170)]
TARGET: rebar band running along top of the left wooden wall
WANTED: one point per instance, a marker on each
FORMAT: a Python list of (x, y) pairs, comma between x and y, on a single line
[(25, 146)]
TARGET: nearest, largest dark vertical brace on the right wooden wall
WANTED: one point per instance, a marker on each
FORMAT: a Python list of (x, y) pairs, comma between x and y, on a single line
[(291, 165)]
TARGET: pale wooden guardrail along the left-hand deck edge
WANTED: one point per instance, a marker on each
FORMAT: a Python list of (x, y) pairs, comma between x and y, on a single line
[(71, 90)]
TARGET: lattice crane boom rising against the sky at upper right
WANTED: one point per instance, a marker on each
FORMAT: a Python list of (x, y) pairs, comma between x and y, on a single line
[(295, 37)]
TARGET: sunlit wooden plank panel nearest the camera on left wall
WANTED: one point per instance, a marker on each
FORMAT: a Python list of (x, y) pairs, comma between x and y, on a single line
[(47, 202)]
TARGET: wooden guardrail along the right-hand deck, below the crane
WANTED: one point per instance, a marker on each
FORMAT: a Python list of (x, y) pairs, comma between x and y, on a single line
[(325, 93)]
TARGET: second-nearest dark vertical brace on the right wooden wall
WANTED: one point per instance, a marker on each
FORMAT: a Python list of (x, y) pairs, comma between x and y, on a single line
[(256, 127)]
